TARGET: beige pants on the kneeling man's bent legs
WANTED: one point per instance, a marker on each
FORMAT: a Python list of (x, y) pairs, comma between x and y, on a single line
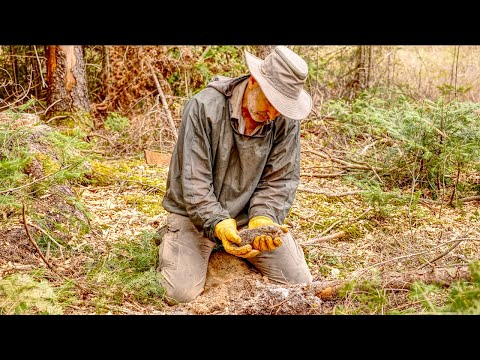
[(184, 254)]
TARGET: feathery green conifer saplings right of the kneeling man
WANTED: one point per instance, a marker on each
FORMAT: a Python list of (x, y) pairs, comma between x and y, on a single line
[(429, 141)]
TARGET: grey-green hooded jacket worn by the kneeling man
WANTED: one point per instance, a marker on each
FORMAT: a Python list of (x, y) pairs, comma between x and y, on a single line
[(216, 172)]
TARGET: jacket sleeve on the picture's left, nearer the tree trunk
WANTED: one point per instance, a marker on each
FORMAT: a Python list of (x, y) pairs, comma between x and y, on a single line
[(196, 175)]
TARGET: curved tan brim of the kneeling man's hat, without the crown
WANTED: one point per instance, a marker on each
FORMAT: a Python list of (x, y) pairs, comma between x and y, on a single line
[(296, 109)]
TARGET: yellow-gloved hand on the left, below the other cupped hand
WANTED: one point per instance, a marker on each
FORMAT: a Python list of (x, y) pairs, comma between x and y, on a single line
[(226, 231)]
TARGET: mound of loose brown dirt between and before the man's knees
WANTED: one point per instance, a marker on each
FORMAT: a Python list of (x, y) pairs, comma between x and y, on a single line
[(233, 286)]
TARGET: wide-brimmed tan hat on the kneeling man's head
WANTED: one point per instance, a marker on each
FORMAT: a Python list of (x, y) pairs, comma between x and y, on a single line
[(281, 76)]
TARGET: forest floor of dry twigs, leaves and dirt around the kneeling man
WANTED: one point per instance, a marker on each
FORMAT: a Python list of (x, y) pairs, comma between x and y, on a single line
[(370, 243)]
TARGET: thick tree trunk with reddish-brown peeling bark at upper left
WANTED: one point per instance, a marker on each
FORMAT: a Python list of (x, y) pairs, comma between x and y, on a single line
[(66, 80)]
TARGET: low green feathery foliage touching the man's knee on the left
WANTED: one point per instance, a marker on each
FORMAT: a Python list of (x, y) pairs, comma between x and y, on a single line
[(129, 270)]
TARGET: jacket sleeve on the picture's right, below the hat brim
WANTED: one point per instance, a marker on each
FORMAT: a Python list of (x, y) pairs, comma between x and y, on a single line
[(275, 192)]
